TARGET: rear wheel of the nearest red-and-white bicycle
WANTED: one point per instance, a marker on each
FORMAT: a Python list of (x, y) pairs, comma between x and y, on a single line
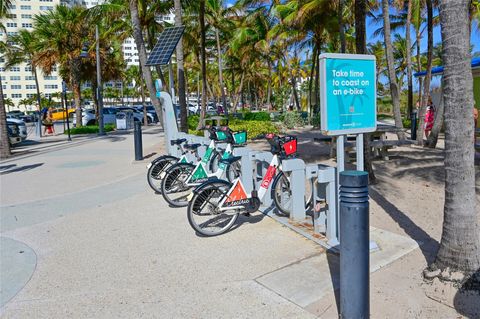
[(203, 213)]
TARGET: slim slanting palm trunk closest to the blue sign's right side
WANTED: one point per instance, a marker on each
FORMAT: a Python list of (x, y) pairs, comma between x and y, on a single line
[(394, 91)]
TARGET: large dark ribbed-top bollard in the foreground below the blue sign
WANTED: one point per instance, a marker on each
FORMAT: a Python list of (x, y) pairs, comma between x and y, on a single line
[(354, 245)]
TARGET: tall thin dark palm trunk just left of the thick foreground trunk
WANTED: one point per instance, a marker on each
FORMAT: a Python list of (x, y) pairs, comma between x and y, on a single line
[(428, 77)]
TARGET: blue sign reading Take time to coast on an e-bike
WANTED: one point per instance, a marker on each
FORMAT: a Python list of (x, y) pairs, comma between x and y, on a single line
[(347, 93)]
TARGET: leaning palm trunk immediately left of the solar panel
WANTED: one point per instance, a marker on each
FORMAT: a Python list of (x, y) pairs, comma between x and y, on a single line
[(142, 54)]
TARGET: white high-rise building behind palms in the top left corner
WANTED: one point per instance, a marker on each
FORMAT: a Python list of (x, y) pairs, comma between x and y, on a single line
[(18, 82)]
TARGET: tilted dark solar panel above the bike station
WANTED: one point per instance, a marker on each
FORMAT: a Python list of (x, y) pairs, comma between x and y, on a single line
[(166, 44)]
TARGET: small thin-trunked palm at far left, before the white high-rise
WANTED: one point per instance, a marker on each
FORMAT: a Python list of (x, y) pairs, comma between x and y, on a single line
[(23, 51)]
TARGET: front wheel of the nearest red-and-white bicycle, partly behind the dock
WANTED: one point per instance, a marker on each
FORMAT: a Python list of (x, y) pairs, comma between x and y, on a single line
[(282, 194)]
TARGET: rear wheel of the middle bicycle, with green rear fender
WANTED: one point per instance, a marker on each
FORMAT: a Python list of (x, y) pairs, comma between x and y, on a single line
[(174, 187)]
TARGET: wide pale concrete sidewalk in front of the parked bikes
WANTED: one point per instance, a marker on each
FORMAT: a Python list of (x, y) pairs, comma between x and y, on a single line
[(88, 238)]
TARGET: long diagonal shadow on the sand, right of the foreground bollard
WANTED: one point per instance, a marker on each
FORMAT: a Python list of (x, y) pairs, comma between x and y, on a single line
[(427, 244)]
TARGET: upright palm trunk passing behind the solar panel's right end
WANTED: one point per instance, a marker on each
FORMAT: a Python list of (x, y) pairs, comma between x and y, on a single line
[(181, 71)]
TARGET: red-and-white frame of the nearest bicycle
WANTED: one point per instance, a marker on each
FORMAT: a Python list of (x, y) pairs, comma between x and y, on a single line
[(237, 198)]
